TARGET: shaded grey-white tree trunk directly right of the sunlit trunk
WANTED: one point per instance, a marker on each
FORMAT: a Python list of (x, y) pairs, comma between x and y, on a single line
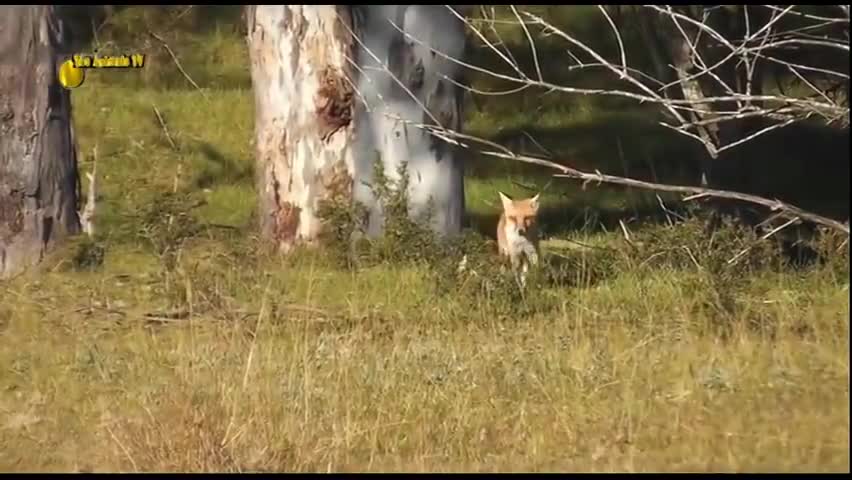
[(411, 76)]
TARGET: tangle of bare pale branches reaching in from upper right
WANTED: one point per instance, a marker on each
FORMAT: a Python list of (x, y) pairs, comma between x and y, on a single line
[(737, 100)]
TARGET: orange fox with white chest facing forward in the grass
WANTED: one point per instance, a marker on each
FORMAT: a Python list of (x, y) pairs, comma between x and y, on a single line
[(517, 233)]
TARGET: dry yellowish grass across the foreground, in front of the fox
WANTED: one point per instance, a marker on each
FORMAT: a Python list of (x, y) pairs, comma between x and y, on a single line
[(303, 367)]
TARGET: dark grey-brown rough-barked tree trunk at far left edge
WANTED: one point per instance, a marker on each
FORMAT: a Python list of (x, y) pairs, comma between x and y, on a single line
[(38, 164)]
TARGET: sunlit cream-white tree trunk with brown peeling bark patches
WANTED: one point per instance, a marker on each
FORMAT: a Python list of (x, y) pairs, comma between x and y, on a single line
[(302, 113)]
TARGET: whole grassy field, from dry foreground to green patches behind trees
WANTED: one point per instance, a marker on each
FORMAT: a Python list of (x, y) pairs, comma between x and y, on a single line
[(187, 348)]
